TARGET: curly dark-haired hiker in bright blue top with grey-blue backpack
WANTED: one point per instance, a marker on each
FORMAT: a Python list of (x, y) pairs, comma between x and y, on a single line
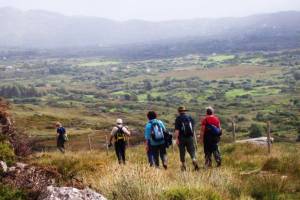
[(155, 141)]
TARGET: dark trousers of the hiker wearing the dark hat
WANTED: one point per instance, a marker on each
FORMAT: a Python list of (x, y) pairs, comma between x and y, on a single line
[(187, 144)]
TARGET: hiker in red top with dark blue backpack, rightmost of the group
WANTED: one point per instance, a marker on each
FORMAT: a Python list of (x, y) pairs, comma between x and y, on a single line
[(210, 136)]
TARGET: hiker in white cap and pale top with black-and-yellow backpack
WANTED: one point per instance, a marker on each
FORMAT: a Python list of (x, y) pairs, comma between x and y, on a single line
[(119, 133)]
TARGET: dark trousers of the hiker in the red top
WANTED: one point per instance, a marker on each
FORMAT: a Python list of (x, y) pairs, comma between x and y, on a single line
[(211, 148)]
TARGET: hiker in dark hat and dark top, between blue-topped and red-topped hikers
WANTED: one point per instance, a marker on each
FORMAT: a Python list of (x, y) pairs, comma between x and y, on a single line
[(184, 133)]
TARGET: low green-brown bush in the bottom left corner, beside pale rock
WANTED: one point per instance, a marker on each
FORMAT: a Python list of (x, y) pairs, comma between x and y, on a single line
[(8, 193)]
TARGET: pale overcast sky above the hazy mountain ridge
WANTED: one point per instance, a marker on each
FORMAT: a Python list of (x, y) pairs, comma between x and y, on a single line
[(156, 10)]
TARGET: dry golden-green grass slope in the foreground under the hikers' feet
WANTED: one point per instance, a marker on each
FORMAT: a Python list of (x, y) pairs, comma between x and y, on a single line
[(273, 179)]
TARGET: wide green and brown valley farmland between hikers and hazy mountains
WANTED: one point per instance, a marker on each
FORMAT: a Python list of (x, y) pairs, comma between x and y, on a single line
[(87, 94)]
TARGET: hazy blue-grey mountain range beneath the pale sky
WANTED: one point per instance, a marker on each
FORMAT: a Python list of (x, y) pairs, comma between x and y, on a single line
[(42, 29)]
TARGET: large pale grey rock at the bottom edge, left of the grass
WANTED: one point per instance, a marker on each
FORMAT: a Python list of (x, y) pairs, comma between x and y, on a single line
[(69, 193)]
